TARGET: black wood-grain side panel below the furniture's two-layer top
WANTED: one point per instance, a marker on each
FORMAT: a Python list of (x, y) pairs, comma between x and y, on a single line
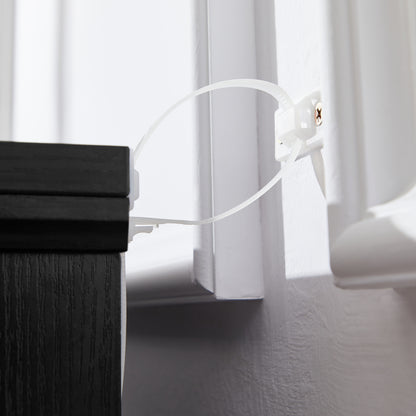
[(59, 334)]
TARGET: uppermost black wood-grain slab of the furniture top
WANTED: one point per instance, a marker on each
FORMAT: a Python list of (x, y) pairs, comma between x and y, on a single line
[(63, 169)]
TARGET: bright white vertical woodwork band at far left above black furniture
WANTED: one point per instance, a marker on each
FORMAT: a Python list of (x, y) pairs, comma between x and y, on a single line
[(36, 108)]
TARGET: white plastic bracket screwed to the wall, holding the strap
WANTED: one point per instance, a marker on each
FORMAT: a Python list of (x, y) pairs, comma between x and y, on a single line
[(300, 122)]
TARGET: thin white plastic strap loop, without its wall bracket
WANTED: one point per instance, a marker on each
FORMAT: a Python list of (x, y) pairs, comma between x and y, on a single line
[(269, 88)]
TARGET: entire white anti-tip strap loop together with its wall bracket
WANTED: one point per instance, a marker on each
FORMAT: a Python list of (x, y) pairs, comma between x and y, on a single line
[(295, 127)]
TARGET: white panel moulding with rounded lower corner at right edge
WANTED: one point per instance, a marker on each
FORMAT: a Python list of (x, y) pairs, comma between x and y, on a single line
[(369, 89)]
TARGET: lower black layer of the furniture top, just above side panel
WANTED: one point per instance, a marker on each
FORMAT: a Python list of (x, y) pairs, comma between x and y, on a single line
[(63, 223)]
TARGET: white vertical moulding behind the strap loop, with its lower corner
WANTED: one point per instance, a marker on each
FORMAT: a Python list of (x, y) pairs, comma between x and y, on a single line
[(226, 260)]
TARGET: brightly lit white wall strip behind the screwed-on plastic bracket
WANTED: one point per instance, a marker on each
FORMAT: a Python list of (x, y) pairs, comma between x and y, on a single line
[(304, 207)]
